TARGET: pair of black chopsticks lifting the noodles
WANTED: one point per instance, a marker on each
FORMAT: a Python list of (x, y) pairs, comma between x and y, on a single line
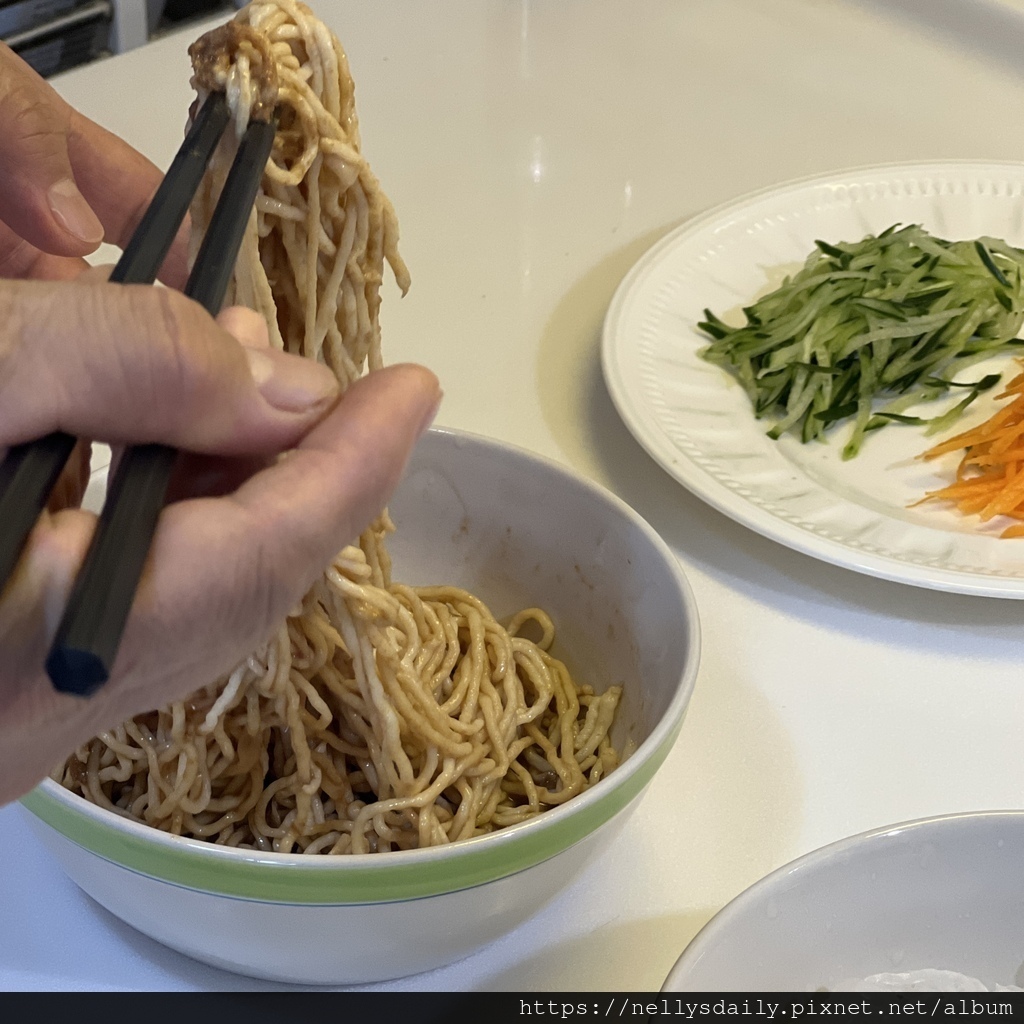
[(88, 639)]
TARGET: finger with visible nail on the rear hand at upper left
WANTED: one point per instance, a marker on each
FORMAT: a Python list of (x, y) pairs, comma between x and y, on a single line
[(40, 199)]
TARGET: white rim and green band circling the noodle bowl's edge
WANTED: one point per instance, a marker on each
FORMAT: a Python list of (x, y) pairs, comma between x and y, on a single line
[(406, 875)]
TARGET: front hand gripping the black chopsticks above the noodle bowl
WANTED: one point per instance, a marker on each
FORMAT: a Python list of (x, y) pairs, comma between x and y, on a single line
[(135, 364)]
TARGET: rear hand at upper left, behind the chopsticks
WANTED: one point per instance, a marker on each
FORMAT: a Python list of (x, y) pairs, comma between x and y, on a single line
[(68, 184)]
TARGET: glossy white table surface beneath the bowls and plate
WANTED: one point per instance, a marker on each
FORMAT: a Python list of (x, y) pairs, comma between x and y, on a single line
[(534, 151)]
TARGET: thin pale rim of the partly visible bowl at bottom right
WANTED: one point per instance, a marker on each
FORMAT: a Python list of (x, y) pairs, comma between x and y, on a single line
[(815, 862)]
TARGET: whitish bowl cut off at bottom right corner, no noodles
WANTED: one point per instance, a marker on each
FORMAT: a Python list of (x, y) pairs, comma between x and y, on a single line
[(945, 893)]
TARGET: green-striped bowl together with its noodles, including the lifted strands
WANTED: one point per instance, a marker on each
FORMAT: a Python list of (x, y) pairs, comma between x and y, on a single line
[(429, 745)]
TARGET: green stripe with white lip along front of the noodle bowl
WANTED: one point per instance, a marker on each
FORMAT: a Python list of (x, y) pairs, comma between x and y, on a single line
[(366, 879)]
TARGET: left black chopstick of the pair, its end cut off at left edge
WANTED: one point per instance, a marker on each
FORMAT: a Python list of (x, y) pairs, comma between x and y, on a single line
[(30, 471)]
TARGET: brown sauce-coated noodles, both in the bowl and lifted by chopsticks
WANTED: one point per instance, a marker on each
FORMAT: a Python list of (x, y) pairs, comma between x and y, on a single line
[(378, 717)]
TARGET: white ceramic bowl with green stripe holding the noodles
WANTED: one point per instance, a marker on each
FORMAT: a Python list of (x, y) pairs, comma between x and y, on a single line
[(518, 531)]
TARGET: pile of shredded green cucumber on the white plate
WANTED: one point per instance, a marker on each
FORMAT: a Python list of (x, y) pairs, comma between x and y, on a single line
[(867, 330)]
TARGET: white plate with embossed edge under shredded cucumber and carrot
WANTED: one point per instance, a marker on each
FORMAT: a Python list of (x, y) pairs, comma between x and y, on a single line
[(697, 422)]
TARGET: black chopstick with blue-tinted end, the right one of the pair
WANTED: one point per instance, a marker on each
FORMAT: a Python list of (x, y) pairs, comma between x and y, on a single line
[(90, 634)]
